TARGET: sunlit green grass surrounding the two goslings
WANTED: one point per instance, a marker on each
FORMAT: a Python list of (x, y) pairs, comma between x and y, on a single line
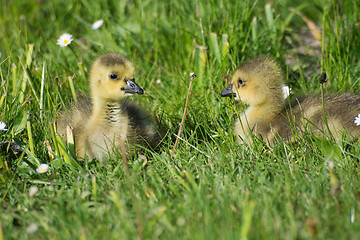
[(212, 188)]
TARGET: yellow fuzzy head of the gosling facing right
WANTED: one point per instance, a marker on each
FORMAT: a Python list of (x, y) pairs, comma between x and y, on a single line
[(112, 78)]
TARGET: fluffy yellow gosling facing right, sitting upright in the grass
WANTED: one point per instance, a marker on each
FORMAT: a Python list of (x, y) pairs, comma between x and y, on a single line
[(108, 122)]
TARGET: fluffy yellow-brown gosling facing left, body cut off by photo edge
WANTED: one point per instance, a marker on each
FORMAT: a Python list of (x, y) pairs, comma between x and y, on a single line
[(258, 83)]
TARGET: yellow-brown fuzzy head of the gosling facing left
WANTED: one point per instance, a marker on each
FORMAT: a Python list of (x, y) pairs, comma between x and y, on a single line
[(256, 82)]
